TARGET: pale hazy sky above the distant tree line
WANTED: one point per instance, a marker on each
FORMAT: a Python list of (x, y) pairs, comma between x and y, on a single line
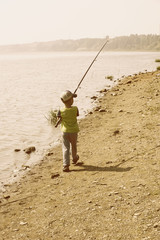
[(24, 21)]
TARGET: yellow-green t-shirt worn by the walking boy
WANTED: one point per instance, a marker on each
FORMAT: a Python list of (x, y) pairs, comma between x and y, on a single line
[(69, 120)]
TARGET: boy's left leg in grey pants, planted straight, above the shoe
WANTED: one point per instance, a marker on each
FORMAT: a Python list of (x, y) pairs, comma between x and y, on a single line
[(66, 149)]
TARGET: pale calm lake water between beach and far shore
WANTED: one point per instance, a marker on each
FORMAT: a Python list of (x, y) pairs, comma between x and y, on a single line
[(30, 88)]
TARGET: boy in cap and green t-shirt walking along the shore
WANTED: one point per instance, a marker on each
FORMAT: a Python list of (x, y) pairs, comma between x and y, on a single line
[(69, 127)]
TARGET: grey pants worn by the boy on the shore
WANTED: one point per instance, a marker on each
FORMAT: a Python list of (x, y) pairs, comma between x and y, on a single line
[(67, 140)]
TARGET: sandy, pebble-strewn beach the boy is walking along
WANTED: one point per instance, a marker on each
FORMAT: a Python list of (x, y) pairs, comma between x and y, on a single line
[(114, 191)]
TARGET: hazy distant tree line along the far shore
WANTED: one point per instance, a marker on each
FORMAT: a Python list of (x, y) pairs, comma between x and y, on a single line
[(133, 42)]
